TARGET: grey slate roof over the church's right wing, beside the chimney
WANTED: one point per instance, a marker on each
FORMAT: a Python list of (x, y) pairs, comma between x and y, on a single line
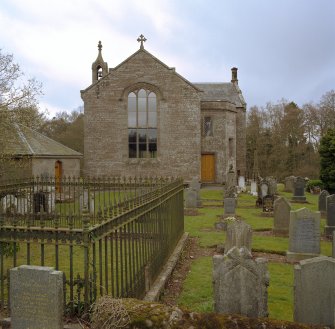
[(220, 92)]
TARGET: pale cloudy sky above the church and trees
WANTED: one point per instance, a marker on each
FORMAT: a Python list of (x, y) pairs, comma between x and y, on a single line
[(282, 48)]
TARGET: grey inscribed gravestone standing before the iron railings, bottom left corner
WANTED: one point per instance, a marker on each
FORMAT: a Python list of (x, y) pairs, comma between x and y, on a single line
[(36, 297)]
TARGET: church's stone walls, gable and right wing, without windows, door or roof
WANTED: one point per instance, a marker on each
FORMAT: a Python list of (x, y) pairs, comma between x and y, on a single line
[(180, 114)]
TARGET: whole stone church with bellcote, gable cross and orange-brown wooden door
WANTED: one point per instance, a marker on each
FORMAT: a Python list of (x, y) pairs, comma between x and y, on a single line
[(142, 118)]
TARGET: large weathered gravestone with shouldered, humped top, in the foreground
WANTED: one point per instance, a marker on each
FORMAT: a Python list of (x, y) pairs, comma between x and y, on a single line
[(240, 283)]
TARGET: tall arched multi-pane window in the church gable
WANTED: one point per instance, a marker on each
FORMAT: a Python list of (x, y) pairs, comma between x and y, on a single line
[(142, 124)]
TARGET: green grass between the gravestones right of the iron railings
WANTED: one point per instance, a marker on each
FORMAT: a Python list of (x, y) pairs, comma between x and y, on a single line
[(197, 293)]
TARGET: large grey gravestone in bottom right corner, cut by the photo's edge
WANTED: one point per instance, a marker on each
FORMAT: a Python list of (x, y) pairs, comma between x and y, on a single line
[(314, 291)]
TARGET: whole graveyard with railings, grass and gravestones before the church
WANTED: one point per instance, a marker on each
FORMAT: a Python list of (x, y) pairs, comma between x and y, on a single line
[(275, 241)]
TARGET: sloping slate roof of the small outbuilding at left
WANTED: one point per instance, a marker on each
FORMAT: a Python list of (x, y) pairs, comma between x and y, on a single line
[(21, 140)]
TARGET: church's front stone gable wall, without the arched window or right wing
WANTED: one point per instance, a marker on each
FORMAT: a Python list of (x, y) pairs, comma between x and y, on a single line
[(106, 122)]
